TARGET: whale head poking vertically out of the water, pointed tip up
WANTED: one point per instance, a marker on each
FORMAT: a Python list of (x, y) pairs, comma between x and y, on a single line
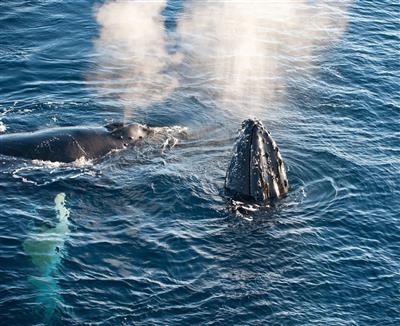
[(256, 172)]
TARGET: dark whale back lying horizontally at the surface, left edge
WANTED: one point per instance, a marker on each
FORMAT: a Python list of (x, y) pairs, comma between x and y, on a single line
[(67, 144)]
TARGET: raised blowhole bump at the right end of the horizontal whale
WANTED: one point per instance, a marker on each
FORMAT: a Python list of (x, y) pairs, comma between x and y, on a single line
[(130, 133)]
